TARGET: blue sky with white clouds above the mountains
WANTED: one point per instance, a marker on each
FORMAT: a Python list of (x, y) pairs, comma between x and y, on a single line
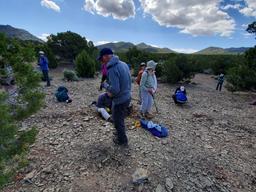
[(181, 25)]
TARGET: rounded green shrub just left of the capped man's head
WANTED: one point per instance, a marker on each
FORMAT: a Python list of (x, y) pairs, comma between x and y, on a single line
[(84, 65)]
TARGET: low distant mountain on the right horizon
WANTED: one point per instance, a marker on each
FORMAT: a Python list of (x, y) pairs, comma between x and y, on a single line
[(218, 51)]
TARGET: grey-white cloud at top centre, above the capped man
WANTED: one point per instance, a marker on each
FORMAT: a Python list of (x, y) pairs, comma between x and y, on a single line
[(118, 9)]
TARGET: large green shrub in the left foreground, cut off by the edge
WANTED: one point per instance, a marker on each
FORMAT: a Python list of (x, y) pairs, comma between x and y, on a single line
[(27, 100)]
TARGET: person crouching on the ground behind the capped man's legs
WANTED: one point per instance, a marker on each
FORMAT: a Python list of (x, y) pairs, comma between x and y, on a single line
[(104, 105)]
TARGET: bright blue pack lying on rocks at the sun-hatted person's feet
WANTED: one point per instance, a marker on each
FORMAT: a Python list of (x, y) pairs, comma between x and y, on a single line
[(156, 129)]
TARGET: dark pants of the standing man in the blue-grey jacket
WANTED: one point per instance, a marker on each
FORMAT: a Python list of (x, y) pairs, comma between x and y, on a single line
[(119, 113)]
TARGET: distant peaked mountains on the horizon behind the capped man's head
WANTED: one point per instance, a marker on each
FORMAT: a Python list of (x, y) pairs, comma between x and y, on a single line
[(124, 47)]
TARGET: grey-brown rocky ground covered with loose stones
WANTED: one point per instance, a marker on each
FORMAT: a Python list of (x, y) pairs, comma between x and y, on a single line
[(211, 146)]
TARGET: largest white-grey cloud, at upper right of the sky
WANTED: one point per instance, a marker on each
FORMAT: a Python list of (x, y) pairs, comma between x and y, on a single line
[(196, 17)]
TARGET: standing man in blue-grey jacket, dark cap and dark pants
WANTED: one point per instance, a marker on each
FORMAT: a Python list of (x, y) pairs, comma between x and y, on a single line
[(119, 86)]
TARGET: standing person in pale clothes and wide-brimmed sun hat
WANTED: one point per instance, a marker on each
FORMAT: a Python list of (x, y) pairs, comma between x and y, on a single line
[(148, 86)]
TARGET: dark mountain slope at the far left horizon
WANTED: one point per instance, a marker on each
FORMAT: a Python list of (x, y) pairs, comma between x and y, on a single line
[(22, 34)]
